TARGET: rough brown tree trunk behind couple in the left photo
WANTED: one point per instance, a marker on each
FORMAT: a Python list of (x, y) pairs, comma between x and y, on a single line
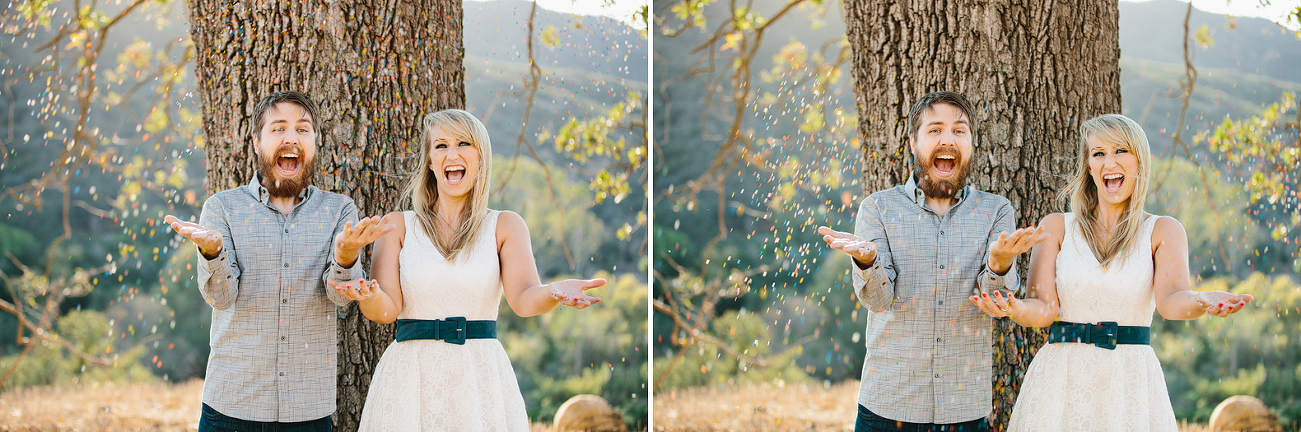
[(374, 67)]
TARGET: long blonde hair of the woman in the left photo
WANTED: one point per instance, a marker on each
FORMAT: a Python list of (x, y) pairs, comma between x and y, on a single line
[(423, 188)]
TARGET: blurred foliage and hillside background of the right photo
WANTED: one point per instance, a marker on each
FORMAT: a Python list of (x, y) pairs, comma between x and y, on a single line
[(755, 146)]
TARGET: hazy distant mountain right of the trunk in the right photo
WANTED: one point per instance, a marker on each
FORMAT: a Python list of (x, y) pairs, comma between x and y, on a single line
[(1247, 68)]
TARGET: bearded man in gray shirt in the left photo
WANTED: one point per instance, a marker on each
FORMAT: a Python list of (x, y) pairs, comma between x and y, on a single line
[(267, 252)]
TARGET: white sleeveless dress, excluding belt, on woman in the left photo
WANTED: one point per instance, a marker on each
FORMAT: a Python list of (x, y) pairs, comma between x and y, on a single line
[(434, 386)]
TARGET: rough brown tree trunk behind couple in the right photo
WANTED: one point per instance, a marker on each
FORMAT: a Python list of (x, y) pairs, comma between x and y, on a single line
[(1032, 72)]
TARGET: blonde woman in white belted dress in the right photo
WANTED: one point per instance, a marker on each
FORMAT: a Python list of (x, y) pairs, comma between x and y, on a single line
[(1096, 283)]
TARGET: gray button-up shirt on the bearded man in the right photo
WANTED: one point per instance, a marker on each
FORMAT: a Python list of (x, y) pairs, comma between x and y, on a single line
[(930, 357)]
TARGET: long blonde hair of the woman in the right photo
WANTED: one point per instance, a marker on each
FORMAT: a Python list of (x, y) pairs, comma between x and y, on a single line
[(1082, 191)]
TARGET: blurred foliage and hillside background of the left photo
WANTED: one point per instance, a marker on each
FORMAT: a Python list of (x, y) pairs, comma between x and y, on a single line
[(101, 137)]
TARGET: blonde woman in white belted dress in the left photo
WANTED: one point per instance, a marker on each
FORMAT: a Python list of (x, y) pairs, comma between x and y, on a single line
[(442, 274)]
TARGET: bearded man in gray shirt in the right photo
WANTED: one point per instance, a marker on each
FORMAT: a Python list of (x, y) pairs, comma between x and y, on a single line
[(920, 252)]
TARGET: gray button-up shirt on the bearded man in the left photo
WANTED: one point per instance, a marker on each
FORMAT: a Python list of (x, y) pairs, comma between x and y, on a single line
[(274, 319)]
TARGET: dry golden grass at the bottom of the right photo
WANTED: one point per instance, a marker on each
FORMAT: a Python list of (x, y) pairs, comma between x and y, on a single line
[(770, 408)]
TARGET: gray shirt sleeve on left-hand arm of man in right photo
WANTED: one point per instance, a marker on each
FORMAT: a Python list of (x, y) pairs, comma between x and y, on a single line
[(875, 282)]
